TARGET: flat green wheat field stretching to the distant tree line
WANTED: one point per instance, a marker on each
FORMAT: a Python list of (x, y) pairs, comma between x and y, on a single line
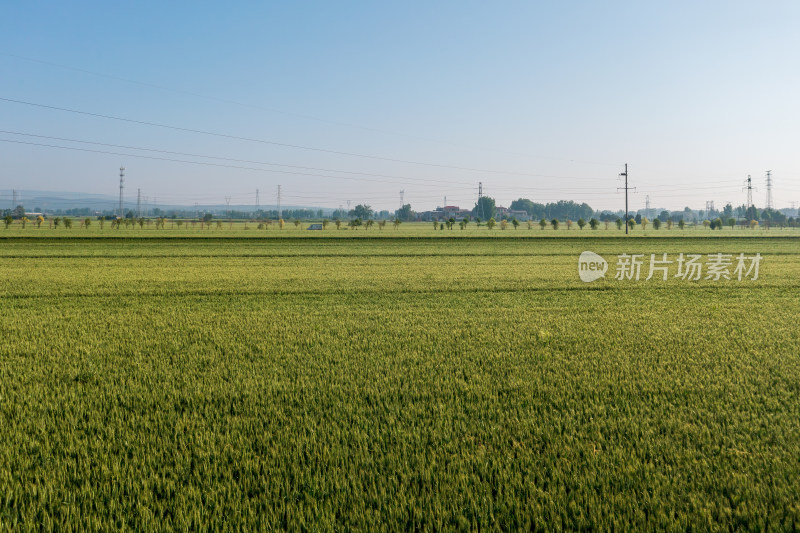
[(412, 379)]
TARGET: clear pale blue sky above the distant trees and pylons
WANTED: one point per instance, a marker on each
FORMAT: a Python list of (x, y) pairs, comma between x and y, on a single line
[(540, 100)]
